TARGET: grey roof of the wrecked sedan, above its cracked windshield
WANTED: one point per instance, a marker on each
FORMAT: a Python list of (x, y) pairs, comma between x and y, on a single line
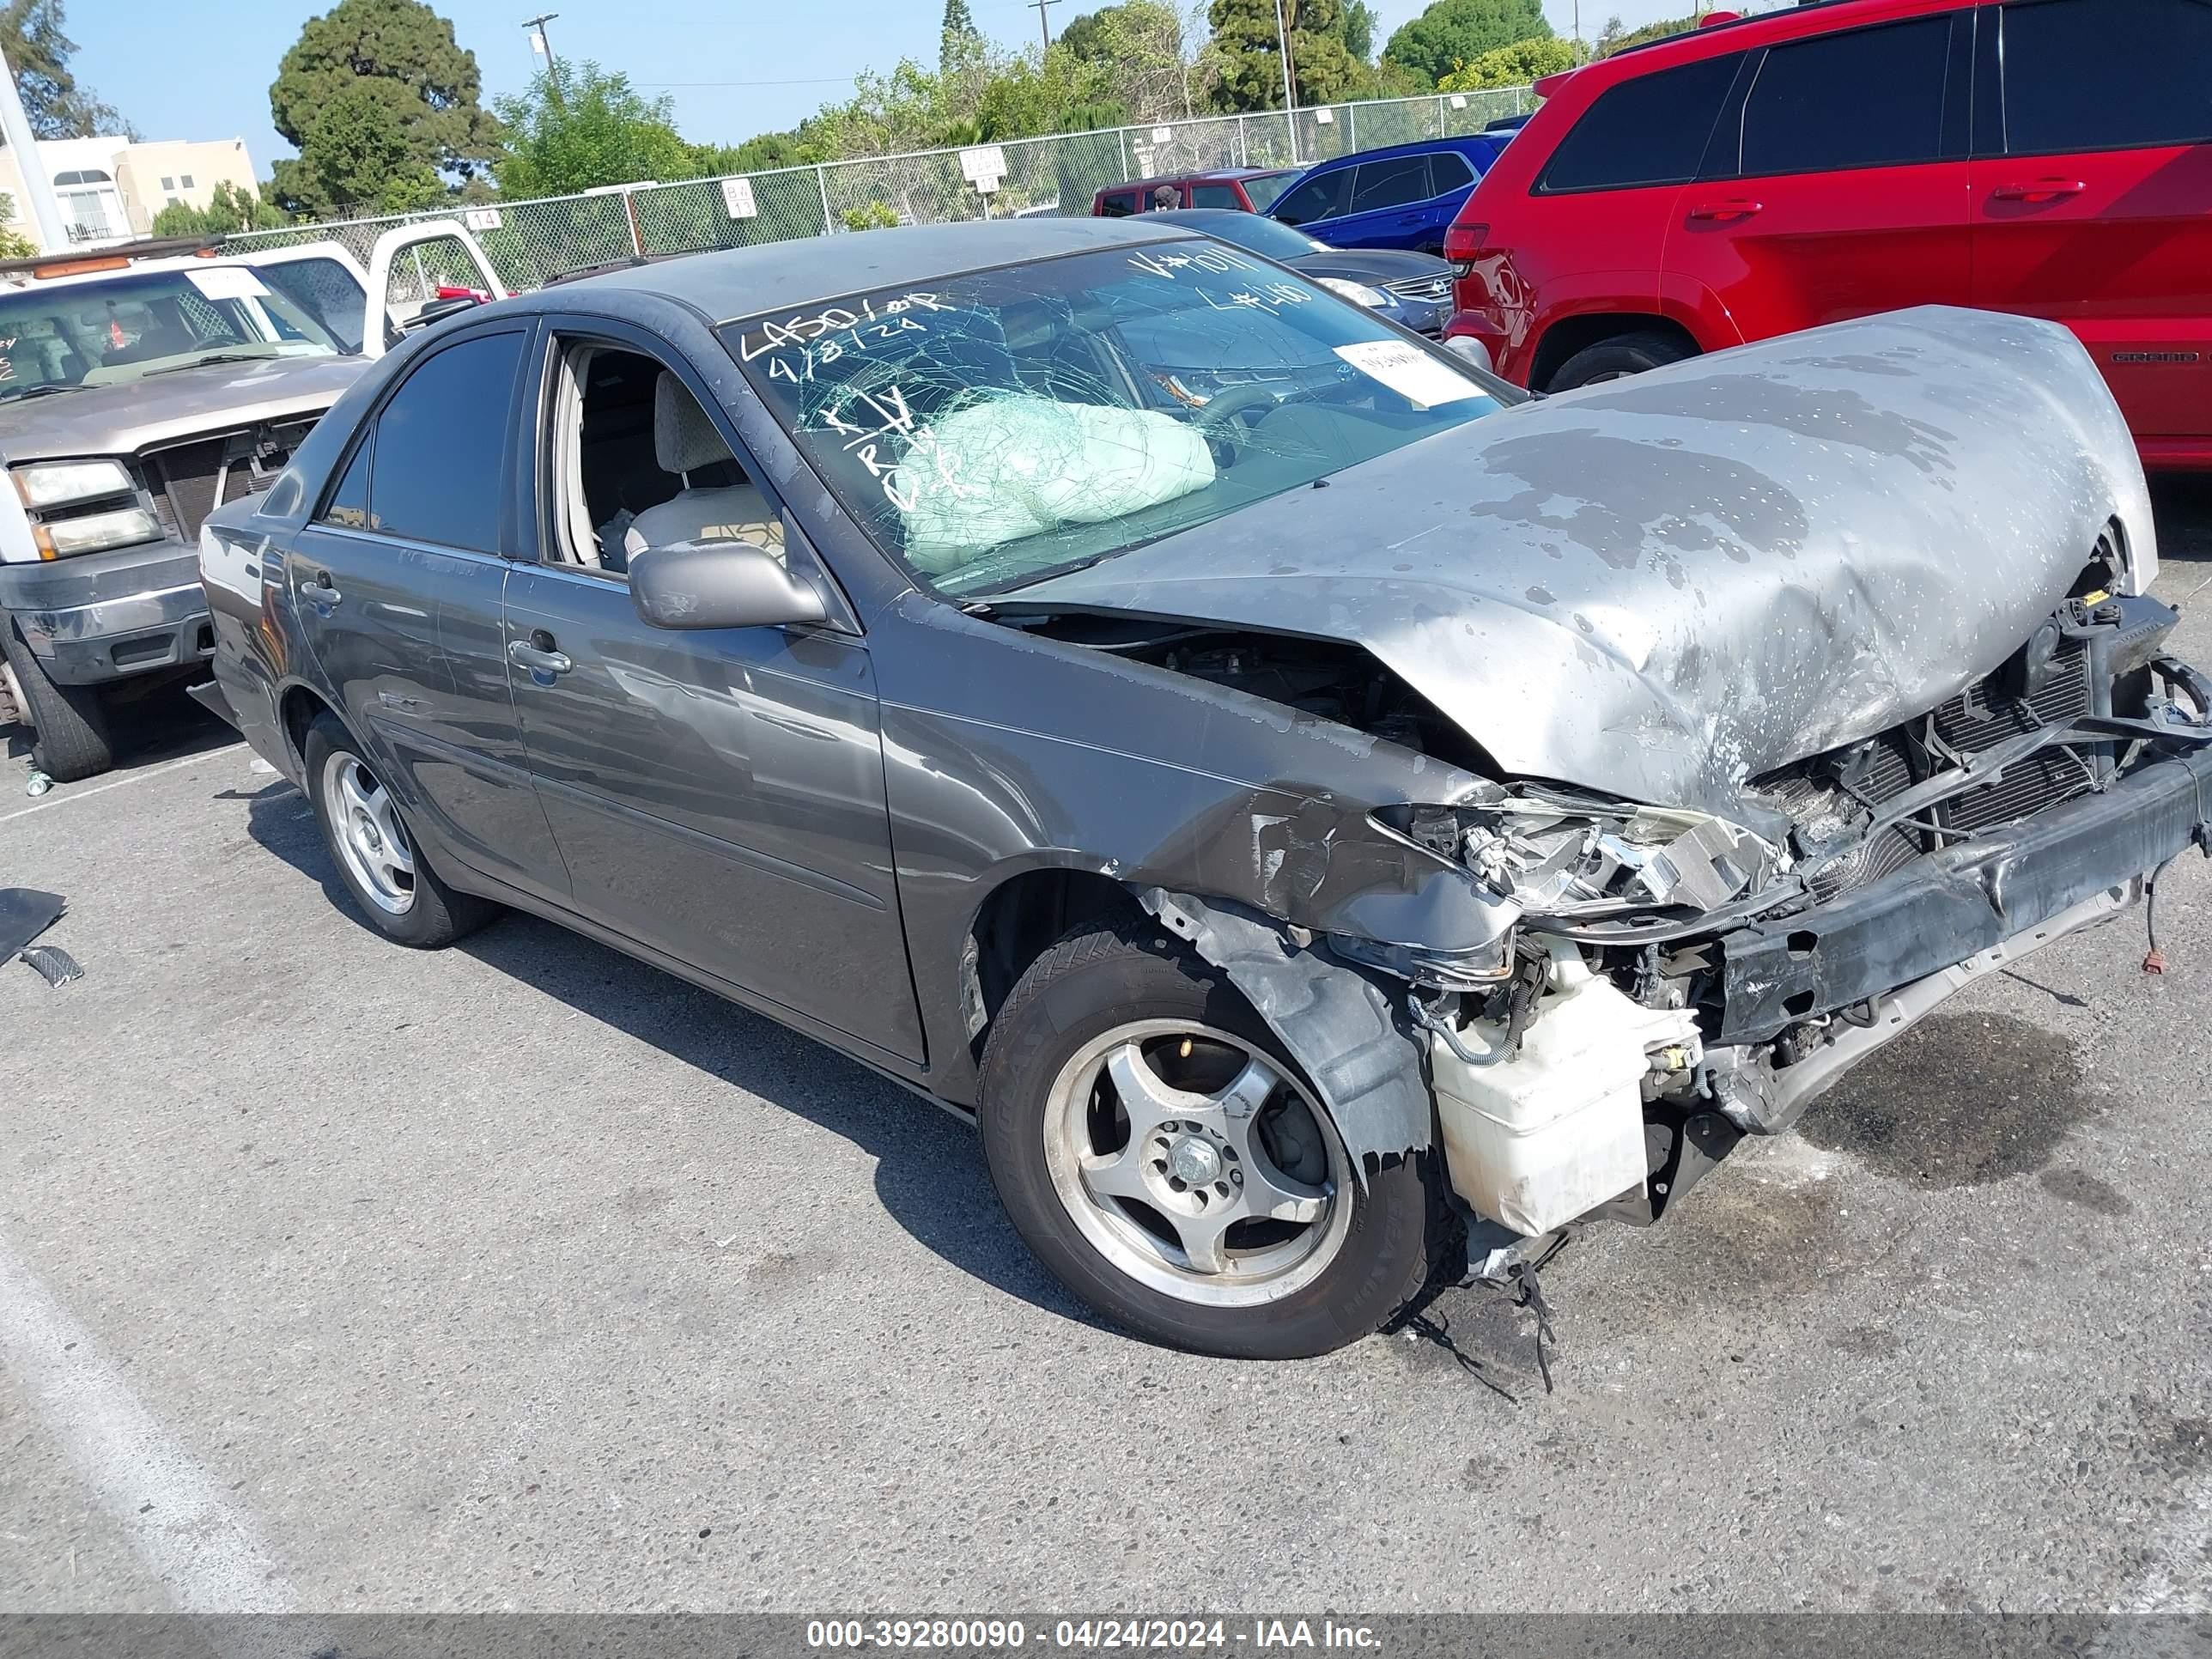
[(778, 275)]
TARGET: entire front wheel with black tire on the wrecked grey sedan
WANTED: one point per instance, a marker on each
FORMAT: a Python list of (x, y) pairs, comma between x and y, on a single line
[(1160, 1151)]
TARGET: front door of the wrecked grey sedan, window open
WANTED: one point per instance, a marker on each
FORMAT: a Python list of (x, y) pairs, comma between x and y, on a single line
[(718, 795)]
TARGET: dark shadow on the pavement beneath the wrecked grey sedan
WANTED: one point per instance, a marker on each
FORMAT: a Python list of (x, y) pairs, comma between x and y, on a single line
[(930, 1171)]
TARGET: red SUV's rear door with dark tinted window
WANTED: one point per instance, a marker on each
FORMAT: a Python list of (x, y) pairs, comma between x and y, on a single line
[(1837, 185)]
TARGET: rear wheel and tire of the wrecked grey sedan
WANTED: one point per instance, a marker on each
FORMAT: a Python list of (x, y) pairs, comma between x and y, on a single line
[(377, 857)]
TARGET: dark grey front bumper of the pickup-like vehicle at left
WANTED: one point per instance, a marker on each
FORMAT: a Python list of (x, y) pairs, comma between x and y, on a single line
[(112, 616)]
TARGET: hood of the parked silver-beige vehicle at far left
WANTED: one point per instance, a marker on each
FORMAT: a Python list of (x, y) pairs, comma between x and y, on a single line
[(125, 419)]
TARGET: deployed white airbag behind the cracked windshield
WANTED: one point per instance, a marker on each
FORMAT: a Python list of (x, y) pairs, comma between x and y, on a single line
[(1014, 468)]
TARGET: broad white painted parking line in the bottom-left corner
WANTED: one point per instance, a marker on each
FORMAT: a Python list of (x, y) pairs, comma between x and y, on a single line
[(202, 1547)]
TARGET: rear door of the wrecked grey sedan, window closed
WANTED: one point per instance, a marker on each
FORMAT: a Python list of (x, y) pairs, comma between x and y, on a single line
[(397, 583)]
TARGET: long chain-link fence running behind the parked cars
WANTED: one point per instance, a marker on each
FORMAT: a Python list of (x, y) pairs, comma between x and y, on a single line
[(534, 242)]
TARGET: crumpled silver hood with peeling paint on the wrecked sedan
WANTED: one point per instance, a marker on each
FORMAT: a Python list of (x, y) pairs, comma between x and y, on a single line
[(1669, 585)]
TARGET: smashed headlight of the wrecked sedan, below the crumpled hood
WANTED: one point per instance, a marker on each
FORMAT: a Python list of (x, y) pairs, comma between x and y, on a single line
[(1589, 859)]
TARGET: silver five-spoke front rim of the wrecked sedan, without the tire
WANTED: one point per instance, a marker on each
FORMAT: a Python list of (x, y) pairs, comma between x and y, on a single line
[(1165, 1200)]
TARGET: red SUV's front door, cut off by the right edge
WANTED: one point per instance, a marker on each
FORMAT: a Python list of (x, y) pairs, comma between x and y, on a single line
[(2094, 196)]
